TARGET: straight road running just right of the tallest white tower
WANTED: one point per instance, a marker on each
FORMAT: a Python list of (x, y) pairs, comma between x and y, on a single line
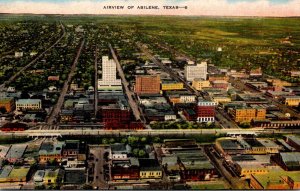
[(134, 106)]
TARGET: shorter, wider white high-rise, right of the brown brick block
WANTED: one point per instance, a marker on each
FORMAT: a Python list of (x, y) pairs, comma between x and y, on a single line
[(195, 71)]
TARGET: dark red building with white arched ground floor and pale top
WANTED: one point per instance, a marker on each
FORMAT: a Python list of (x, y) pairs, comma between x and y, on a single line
[(206, 111)]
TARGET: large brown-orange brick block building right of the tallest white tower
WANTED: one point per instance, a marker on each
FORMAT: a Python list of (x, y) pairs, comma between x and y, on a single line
[(147, 84)]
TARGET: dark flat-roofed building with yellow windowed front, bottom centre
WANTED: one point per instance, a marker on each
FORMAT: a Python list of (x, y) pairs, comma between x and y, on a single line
[(150, 169)]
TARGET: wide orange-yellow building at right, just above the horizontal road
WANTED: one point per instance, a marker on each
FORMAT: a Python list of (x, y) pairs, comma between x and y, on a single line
[(246, 114)]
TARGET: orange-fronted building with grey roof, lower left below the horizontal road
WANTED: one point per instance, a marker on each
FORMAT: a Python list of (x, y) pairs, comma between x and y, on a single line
[(51, 151)]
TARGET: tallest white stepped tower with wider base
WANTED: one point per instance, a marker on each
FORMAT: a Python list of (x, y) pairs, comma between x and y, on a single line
[(109, 75)]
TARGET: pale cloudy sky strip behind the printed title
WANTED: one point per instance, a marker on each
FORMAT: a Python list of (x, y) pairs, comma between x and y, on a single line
[(273, 8)]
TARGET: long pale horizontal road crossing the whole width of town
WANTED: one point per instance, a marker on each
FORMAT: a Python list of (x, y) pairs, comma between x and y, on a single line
[(145, 132)]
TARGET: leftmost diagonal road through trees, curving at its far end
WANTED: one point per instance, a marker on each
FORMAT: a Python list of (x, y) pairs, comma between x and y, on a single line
[(12, 78)]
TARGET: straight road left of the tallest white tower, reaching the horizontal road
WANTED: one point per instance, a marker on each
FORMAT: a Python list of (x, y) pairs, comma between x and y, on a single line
[(55, 111)]
